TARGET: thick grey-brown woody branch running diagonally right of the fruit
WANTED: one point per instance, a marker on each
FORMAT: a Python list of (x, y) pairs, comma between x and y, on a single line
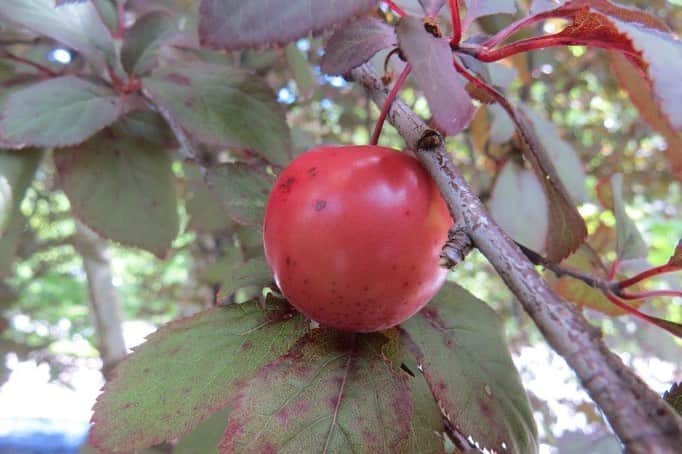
[(642, 420)]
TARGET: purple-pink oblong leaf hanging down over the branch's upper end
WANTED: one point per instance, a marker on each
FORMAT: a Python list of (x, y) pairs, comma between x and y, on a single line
[(432, 67)]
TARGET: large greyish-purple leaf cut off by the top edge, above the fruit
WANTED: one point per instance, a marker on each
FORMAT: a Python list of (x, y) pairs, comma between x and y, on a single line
[(238, 24)]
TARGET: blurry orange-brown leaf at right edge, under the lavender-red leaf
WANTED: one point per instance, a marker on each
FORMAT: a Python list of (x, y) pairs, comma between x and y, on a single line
[(639, 90)]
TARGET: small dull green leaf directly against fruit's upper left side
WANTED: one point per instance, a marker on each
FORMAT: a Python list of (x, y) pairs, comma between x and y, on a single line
[(242, 190)]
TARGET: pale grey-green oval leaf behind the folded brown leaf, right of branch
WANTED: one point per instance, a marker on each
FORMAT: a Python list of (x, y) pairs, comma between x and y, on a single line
[(519, 204)]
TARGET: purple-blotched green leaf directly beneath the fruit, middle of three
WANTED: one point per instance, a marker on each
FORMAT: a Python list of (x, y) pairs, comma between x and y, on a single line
[(333, 392)]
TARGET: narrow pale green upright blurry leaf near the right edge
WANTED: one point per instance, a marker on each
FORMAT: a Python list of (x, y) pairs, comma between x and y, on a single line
[(629, 242)]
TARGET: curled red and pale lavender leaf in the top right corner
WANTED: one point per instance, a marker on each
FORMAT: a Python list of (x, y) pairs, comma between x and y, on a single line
[(646, 38)]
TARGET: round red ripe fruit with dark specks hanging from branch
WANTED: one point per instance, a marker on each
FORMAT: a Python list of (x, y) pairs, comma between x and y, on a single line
[(353, 235)]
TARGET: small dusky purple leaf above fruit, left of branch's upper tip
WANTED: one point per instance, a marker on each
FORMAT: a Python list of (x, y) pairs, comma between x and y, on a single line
[(355, 44)]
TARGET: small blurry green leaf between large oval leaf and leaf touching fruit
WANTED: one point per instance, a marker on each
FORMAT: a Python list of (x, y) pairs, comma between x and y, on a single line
[(205, 211)]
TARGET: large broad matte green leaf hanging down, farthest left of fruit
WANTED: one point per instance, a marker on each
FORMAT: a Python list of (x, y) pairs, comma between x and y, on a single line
[(124, 189)]
